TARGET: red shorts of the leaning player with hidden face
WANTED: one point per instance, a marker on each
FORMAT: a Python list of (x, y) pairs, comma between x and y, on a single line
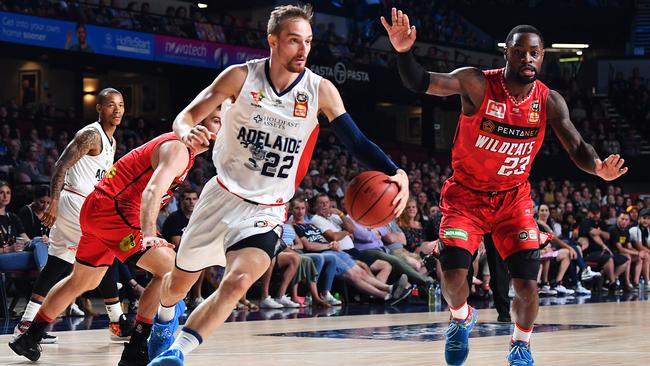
[(104, 233)]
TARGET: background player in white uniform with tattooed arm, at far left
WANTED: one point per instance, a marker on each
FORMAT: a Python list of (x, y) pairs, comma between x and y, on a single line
[(82, 164)]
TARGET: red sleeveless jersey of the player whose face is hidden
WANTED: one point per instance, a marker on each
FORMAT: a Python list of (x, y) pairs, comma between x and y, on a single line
[(125, 181)]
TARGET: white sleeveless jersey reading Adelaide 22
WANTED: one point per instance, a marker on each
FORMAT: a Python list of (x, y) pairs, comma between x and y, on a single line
[(266, 140)]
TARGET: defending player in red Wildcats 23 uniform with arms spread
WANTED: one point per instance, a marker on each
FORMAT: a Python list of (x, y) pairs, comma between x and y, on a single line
[(500, 130)]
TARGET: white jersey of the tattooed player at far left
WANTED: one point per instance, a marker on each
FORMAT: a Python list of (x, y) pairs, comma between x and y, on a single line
[(89, 170)]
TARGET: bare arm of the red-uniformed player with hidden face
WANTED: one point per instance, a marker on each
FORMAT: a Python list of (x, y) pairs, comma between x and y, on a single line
[(168, 162)]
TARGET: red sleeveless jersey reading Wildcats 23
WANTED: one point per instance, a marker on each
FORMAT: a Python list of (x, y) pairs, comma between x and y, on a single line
[(494, 148)]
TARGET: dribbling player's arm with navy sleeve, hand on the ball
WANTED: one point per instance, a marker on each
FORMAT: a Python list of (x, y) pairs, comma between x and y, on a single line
[(366, 151)]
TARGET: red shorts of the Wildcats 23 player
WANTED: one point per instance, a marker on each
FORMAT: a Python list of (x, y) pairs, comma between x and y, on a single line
[(467, 215)]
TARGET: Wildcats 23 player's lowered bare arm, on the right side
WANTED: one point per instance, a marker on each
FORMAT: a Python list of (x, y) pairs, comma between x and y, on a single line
[(582, 153)]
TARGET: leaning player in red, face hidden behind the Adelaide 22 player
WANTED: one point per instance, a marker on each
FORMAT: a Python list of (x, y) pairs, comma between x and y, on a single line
[(118, 219)]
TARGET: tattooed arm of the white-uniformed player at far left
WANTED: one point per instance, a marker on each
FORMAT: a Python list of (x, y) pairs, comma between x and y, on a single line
[(85, 142)]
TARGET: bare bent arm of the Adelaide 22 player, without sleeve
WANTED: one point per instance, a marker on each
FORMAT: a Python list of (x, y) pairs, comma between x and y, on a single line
[(227, 85)]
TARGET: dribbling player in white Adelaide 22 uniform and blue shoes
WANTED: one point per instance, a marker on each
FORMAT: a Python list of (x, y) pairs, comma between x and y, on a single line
[(269, 129)]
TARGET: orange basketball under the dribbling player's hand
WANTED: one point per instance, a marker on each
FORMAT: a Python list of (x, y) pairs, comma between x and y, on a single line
[(369, 199)]
